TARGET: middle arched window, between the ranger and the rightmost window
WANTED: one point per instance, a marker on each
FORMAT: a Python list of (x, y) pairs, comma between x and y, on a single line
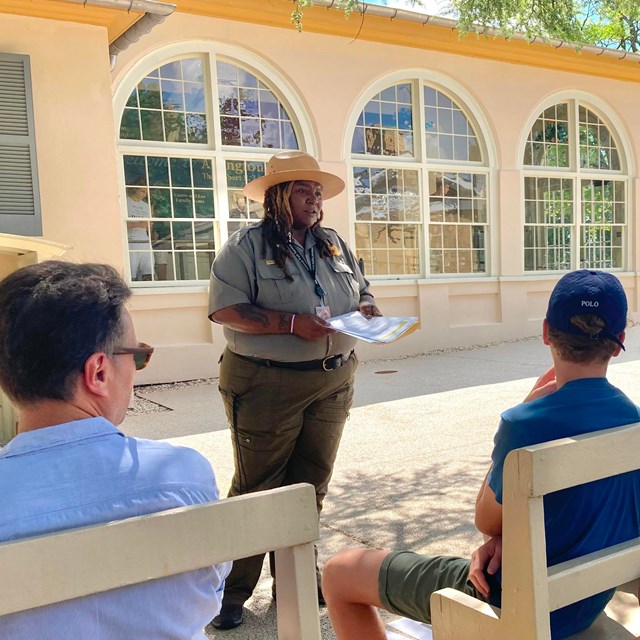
[(420, 182)]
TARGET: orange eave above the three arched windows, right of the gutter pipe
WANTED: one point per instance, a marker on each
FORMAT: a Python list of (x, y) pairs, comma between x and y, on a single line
[(410, 29)]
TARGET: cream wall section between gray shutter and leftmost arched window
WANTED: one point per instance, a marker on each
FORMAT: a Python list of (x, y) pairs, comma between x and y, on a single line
[(74, 134)]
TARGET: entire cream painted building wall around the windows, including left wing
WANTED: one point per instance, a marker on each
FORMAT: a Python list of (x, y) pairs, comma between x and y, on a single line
[(79, 172)]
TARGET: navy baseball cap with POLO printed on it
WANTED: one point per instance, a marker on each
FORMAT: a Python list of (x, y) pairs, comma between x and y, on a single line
[(587, 291)]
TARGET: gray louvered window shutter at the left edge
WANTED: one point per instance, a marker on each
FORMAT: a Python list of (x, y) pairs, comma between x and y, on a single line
[(19, 194)]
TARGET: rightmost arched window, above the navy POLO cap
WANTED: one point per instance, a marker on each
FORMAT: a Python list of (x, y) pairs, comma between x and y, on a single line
[(575, 199)]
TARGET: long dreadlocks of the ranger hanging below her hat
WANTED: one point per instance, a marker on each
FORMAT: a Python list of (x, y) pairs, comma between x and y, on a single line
[(277, 227)]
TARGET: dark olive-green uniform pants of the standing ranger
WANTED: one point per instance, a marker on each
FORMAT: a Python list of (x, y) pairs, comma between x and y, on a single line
[(286, 426)]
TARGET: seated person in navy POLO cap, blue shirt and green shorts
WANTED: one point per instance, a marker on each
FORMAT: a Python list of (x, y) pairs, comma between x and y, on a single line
[(584, 328)]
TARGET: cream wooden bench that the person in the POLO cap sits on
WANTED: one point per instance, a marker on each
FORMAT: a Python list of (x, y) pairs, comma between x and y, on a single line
[(530, 590)]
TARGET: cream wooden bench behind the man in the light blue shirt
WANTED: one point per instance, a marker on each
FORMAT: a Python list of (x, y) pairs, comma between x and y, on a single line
[(52, 568)]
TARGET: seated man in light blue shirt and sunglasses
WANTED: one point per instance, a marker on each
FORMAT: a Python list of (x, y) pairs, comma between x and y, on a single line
[(68, 356)]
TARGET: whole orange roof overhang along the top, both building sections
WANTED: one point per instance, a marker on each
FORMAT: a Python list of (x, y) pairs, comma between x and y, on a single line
[(373, 23)]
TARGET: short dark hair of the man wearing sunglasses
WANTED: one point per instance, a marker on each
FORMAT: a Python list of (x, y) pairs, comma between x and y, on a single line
[(53, 316)]
